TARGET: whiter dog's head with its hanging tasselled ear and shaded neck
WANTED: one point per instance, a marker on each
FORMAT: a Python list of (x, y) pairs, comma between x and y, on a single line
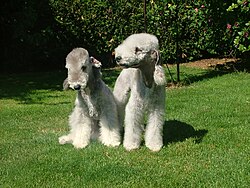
[(141, 51)]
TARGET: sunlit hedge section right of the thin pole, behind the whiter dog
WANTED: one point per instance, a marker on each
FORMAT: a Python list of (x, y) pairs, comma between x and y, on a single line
[(196, 25)]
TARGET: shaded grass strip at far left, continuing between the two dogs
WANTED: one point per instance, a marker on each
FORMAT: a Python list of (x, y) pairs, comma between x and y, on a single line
[(20, 87)]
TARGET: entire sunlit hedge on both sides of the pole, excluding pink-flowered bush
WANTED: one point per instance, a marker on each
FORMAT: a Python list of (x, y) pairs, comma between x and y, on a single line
[(101, 25)]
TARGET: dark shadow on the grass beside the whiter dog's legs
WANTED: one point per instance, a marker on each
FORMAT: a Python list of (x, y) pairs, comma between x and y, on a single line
[(177, 131)]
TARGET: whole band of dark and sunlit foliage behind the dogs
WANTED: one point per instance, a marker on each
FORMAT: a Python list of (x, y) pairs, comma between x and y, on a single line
[(37, 35)]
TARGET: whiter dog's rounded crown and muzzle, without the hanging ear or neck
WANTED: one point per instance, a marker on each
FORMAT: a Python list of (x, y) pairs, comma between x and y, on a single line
[(137, 49)]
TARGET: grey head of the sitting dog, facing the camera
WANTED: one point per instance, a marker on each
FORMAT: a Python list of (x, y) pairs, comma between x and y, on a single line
[(80, 68)]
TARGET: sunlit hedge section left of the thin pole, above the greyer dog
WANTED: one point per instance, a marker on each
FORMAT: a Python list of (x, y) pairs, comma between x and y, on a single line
[(98, 25)]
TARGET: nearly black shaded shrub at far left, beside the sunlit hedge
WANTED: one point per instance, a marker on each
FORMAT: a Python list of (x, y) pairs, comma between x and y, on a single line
[(28, 36)]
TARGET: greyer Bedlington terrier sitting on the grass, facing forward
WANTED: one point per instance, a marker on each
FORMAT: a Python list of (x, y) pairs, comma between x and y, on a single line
[(95, 112)]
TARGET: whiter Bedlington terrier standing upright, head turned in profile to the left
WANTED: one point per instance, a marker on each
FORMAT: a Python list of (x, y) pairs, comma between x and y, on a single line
[(140, 90)]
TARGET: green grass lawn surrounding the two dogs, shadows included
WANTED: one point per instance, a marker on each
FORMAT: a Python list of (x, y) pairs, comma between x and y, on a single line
[(206, 136)]
